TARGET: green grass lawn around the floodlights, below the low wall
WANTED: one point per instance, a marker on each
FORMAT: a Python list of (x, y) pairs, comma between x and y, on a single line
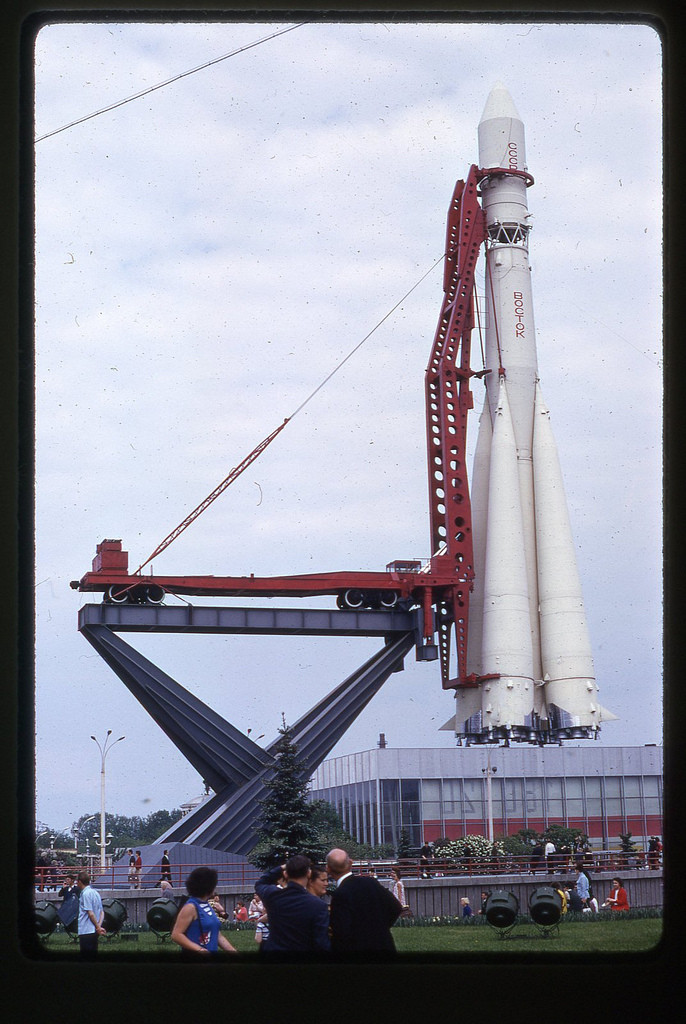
[(610, 936)]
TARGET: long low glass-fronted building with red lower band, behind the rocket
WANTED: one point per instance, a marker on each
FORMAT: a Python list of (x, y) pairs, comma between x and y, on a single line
[(430, 793)]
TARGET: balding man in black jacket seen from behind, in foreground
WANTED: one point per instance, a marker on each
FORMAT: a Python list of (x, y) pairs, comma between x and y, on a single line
[(362, 910)]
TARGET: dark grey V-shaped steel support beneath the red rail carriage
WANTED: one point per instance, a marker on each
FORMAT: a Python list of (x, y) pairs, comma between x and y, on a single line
[(231, 764)]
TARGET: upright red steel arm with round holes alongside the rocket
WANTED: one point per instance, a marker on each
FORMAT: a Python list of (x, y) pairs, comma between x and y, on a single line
[(449, 401)]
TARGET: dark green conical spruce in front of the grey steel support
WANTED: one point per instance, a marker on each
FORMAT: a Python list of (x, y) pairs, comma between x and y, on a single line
[(286, 825)]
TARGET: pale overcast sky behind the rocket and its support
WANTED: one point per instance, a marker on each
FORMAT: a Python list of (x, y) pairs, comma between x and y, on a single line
[(208, 253)]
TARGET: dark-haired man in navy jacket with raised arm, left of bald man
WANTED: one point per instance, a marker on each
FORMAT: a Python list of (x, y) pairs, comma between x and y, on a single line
[(298, 921)]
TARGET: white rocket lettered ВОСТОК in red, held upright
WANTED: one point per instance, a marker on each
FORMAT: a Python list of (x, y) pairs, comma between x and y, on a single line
[(528, 629)]
